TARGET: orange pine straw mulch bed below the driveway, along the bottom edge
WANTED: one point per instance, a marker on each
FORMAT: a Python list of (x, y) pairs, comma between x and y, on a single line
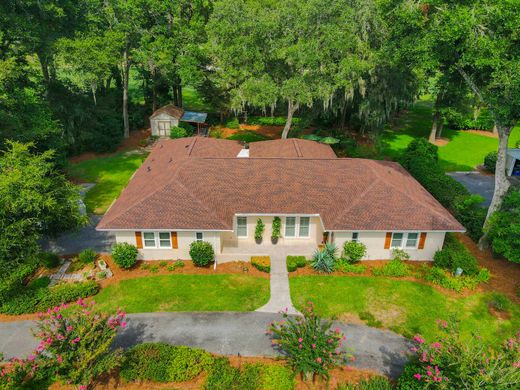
[(340, 375)]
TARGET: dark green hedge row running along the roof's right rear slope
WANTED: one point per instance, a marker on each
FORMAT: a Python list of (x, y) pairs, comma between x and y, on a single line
[(421, 161)]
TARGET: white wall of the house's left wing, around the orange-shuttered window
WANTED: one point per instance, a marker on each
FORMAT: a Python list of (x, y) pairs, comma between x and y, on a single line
[(184, 240)]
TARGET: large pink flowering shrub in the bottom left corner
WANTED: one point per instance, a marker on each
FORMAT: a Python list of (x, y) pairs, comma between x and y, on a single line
[(74, 347)]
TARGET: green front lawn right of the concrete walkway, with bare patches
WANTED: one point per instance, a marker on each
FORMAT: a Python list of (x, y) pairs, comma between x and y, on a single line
[(403, 306)]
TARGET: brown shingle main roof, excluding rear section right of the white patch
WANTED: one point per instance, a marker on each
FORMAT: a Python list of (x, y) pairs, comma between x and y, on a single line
[(205, 193)]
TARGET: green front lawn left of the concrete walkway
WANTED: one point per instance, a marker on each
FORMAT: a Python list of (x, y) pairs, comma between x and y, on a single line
[(223, 292)]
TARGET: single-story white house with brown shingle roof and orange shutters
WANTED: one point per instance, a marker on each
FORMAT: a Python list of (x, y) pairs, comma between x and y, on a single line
[(215, 190)]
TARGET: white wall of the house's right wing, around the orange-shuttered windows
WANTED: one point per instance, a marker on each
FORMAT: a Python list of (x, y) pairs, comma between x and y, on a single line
[(375, 243)]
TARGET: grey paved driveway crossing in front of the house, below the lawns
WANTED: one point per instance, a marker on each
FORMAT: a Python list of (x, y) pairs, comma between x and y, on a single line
[(227, 333)]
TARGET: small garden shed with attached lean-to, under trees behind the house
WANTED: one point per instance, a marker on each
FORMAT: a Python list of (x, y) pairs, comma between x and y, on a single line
[(163, 119)]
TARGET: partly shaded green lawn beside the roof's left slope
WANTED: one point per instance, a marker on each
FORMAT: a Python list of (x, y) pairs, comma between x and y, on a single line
[(111, 174)]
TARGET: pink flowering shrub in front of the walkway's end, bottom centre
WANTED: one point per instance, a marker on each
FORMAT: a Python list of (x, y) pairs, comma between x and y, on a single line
[(309, 343)]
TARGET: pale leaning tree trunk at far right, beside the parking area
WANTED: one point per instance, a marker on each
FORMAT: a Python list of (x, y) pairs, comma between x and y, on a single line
[(501, 182)]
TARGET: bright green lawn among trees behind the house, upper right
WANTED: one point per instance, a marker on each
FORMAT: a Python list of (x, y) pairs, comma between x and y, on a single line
[(464, 151)]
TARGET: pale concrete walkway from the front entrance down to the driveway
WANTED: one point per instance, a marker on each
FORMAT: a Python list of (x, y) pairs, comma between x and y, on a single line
[(280, 298)]
